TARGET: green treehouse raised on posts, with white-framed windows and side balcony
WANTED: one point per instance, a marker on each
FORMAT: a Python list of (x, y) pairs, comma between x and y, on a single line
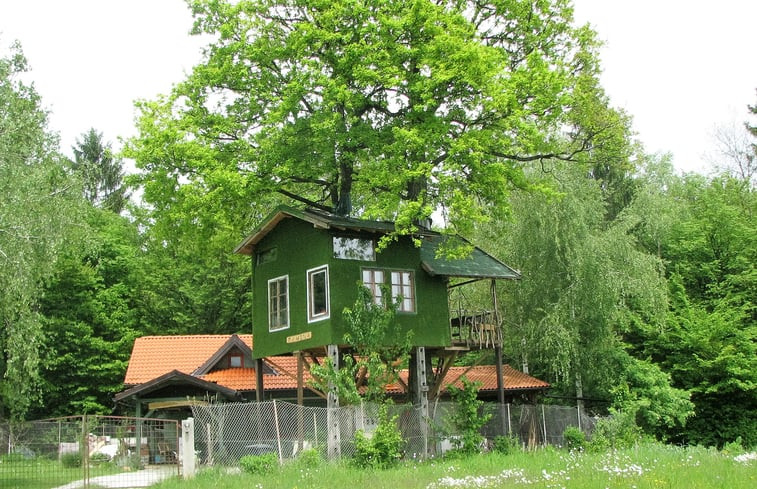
[(307, 265)]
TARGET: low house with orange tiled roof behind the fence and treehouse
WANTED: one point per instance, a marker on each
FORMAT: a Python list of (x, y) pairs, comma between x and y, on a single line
[(169, 374)]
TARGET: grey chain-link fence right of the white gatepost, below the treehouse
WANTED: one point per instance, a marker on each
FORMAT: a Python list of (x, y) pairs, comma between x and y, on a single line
[(226, 432)]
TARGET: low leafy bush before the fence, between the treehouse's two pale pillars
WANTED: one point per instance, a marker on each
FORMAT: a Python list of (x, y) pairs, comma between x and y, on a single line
[(383, 449)]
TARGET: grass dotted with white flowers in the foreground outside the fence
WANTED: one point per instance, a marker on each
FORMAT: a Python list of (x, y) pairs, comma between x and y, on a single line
[(649, 466)]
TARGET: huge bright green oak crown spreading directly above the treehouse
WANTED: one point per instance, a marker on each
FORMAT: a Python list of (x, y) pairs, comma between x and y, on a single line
[(381, 108)]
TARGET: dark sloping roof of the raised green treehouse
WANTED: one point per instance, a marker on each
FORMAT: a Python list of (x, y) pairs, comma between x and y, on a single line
[(477, 265)]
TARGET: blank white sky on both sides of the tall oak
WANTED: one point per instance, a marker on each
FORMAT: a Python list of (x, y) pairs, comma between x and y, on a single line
[(679, 67)]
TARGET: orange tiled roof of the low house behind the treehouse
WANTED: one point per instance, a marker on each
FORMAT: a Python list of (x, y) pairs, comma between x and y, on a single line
[(153, 356)]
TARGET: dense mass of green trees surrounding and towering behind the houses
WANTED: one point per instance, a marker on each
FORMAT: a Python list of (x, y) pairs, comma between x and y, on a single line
[(639, 284)]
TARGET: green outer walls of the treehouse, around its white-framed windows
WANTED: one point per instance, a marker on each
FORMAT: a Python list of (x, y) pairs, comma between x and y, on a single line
[(301, 247)]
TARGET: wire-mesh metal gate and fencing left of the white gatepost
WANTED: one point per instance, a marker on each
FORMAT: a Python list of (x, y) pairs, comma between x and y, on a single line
[(79, 451)]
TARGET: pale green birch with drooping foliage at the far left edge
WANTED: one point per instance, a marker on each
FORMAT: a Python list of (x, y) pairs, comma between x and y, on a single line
[(40, 210)]
